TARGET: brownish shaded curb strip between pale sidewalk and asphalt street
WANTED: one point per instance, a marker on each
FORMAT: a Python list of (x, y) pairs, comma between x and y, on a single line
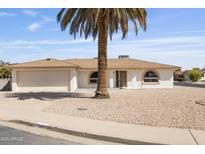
[(83, 134)]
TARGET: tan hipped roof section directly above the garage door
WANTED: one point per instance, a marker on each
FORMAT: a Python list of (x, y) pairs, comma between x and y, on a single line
[(45, 63)]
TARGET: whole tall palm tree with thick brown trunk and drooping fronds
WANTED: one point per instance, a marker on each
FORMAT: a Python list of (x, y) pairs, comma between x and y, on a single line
[(101, 22)]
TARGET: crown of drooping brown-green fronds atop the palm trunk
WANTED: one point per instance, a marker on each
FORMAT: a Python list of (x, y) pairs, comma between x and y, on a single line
[(86, 20)]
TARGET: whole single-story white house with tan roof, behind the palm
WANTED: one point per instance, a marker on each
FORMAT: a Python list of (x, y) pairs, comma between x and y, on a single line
[(68, 75)]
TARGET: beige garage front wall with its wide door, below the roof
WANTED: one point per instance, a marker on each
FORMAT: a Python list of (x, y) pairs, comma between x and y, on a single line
[(45, 79)]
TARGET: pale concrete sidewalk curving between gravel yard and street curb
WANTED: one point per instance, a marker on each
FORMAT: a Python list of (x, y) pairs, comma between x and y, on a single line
[(131, 133)]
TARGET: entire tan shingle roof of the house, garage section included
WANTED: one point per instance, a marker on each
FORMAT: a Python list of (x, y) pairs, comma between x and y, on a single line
[(92, 64)]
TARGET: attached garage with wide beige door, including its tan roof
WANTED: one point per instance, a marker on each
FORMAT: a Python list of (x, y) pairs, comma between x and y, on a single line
[(47, 75)]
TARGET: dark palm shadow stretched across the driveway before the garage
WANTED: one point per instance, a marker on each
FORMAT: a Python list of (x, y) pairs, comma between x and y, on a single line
[(46, 96)]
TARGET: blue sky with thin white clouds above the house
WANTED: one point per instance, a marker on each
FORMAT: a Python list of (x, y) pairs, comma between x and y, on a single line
[(173, 36)]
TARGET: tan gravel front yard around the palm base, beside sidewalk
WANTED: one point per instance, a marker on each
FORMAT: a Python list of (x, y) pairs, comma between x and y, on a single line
[(154, 107)]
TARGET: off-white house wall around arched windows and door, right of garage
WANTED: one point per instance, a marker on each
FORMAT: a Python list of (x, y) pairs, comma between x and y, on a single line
[(134, 79)]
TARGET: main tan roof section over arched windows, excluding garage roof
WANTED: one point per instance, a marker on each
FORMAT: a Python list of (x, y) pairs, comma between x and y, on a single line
[(119, 64)]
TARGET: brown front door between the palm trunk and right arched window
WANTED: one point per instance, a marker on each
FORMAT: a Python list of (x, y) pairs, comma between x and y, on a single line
[(121, 78)]
